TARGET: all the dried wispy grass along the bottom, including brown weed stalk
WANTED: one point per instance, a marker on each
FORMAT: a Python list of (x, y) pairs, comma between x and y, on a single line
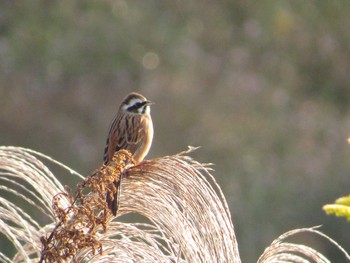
[(188, 215)]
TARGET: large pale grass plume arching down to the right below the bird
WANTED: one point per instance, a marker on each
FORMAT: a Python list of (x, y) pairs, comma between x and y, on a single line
[(175, 195)]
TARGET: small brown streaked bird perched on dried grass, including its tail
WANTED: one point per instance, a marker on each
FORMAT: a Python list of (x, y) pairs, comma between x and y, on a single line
[(132, 130)]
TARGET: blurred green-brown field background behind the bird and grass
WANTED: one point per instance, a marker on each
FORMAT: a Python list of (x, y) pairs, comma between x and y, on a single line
[(262, 86)]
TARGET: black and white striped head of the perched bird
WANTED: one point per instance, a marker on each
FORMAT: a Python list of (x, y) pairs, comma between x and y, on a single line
[(136, 103)]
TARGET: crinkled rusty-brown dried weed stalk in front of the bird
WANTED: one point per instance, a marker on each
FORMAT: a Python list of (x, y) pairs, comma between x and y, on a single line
[(78, 223)]
